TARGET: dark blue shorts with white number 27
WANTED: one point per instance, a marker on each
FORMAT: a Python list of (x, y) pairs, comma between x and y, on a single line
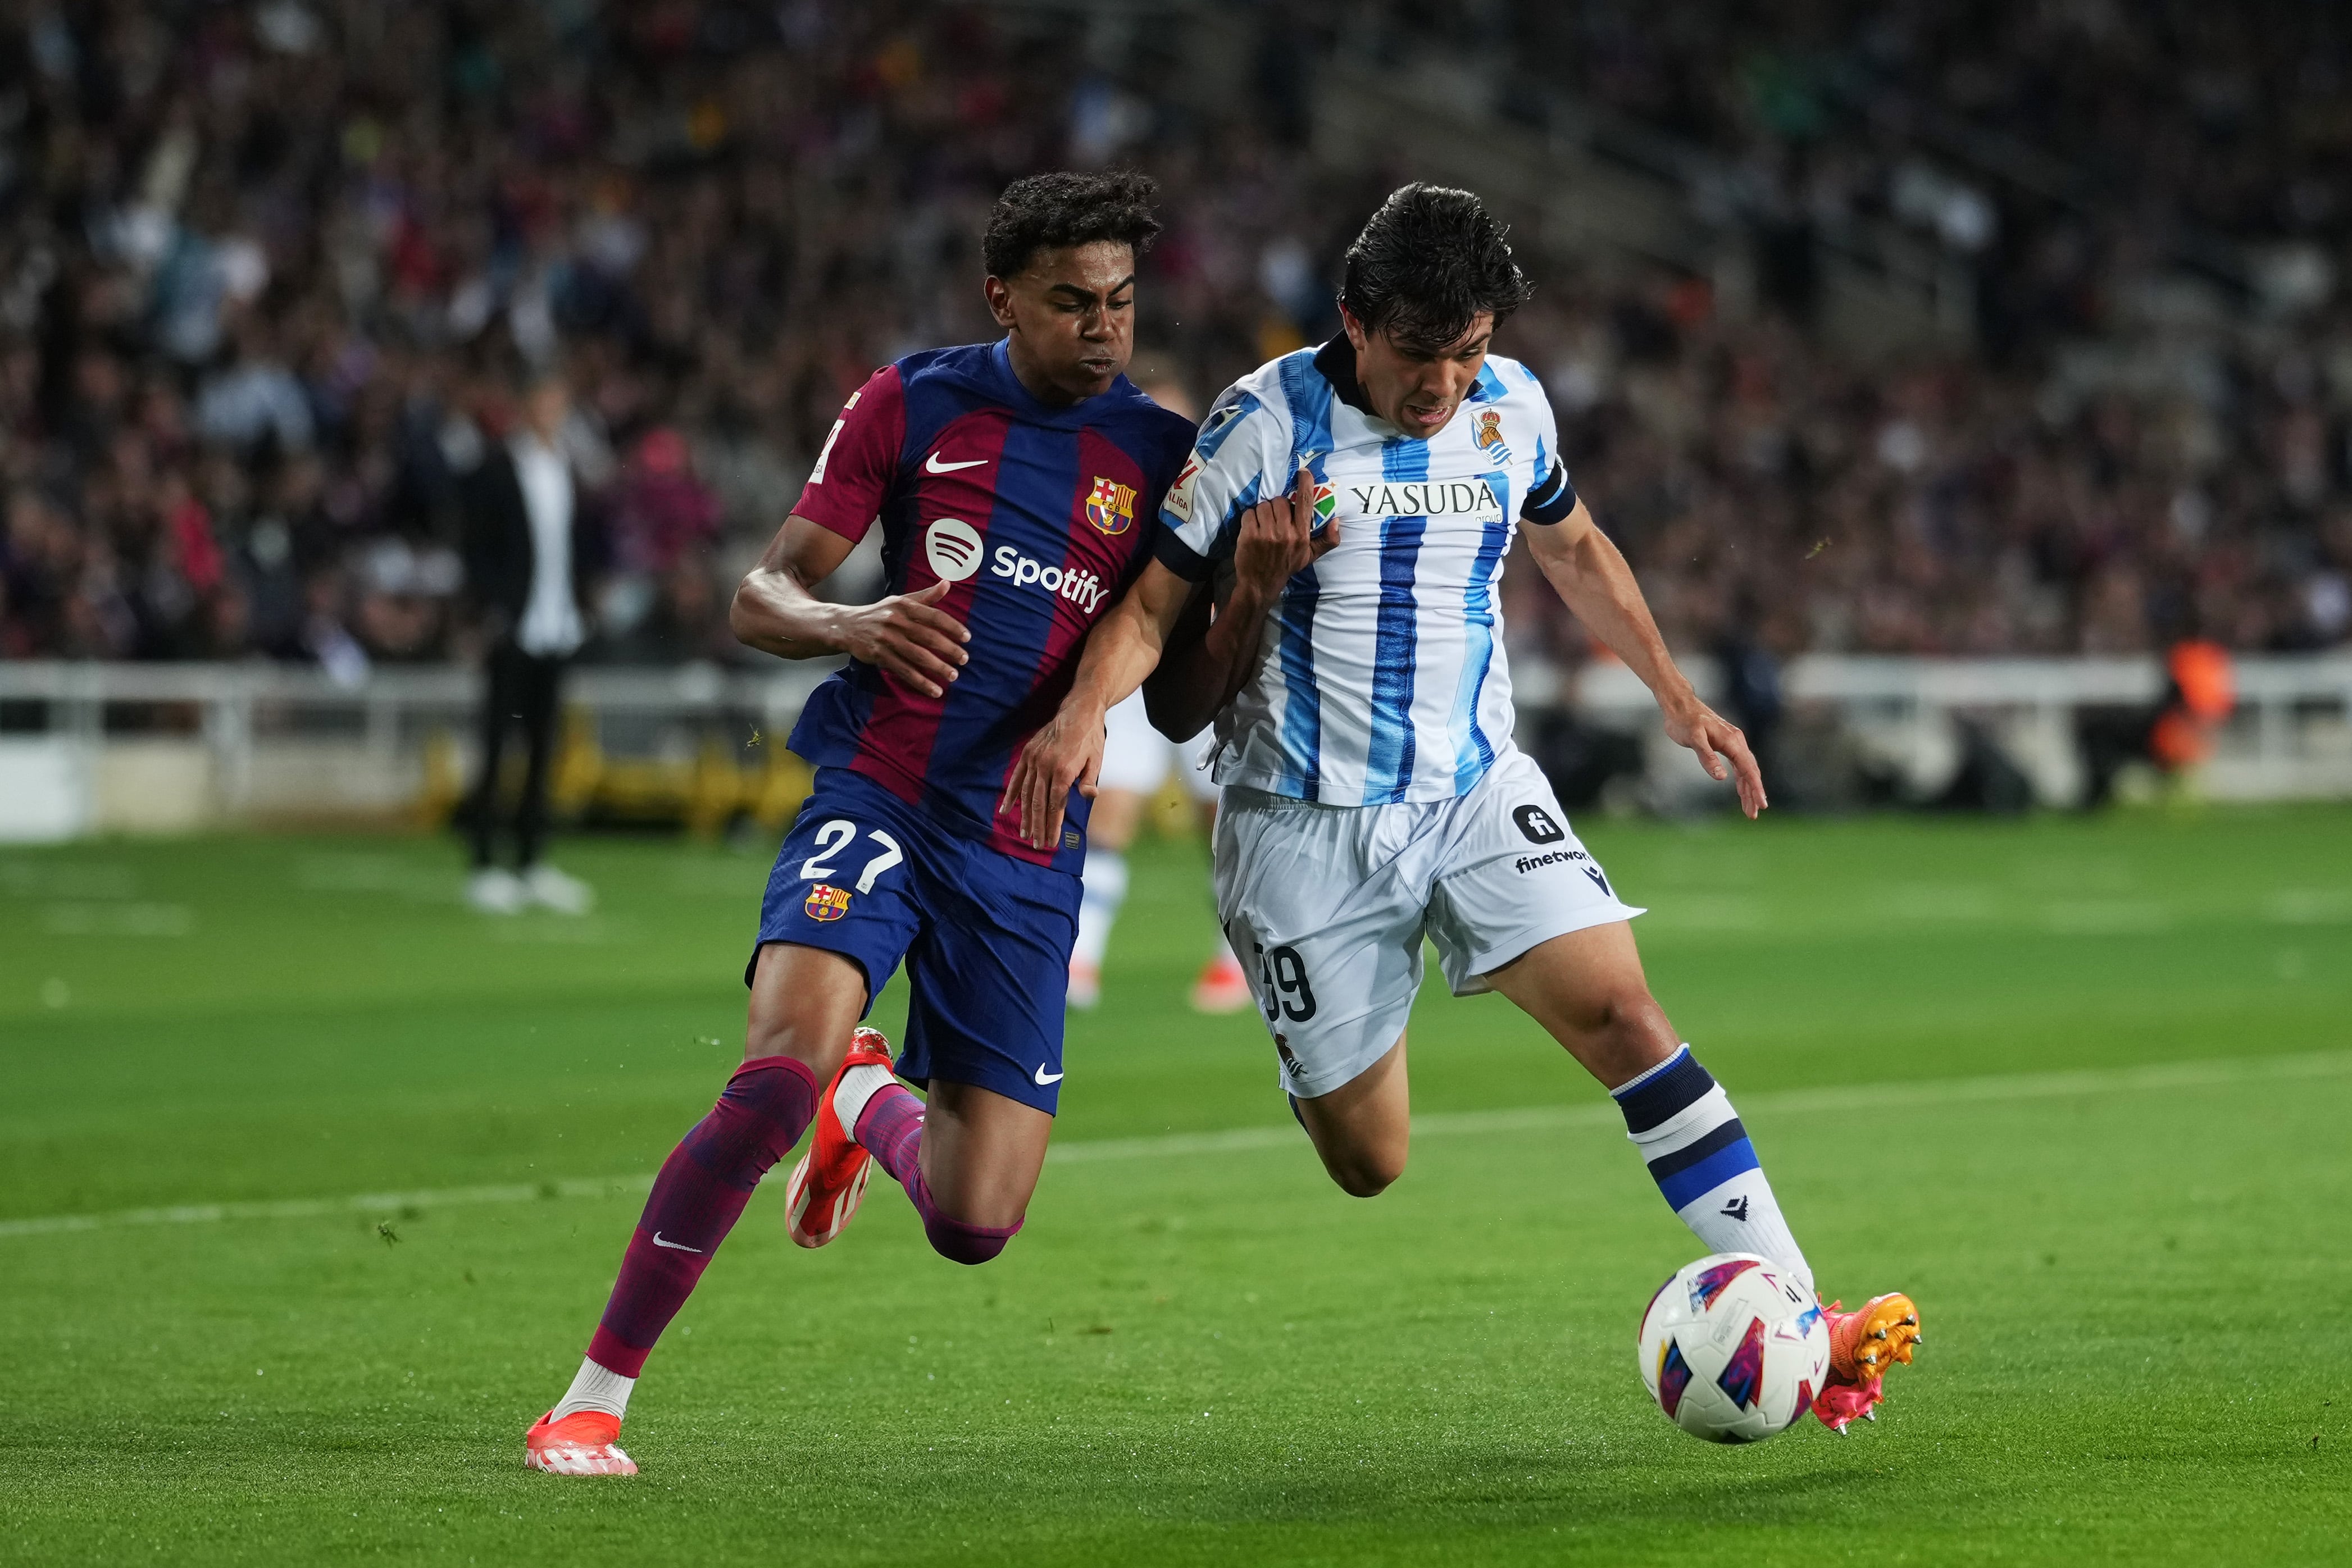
[(987, 939)]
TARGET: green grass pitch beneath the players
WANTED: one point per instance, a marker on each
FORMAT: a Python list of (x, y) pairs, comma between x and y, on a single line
[(2078, 1085)]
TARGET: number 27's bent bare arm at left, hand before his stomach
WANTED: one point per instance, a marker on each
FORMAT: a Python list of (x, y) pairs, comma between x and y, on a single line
[(904, 634)]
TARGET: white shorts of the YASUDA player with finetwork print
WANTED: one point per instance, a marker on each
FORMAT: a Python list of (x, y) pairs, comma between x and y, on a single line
[(1328, 906)]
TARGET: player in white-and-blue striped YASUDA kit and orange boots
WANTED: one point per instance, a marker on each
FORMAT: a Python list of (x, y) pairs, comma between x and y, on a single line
[(1349, 511)]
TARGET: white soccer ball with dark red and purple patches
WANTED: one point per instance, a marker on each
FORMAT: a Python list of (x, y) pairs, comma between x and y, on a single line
[(1732, 1348)]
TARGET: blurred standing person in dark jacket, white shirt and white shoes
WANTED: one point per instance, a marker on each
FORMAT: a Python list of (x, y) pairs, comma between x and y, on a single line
[(528, 556)]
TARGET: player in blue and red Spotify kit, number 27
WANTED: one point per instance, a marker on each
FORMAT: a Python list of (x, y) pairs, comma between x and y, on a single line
[(1015, 485)]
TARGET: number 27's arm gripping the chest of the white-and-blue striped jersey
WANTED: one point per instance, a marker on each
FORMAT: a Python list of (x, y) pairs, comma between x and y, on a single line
[(1201, 676)]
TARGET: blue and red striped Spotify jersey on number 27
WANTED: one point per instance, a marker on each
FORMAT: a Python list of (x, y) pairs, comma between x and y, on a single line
[(1038, 516)]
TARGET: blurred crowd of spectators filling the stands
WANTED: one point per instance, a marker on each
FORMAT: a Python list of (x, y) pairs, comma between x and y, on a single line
[(272, 276)]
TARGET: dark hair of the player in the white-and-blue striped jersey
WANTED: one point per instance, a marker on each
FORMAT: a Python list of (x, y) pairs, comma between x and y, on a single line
[(1429, 262)]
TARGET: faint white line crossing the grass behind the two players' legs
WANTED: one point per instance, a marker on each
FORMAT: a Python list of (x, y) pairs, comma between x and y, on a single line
[(1248, 1139)]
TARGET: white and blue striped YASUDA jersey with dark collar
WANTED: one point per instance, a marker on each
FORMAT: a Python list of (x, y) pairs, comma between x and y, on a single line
[(1382, 676)]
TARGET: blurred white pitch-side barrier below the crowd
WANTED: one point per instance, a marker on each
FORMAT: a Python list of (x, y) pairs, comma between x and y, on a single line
[(182, 746)]
